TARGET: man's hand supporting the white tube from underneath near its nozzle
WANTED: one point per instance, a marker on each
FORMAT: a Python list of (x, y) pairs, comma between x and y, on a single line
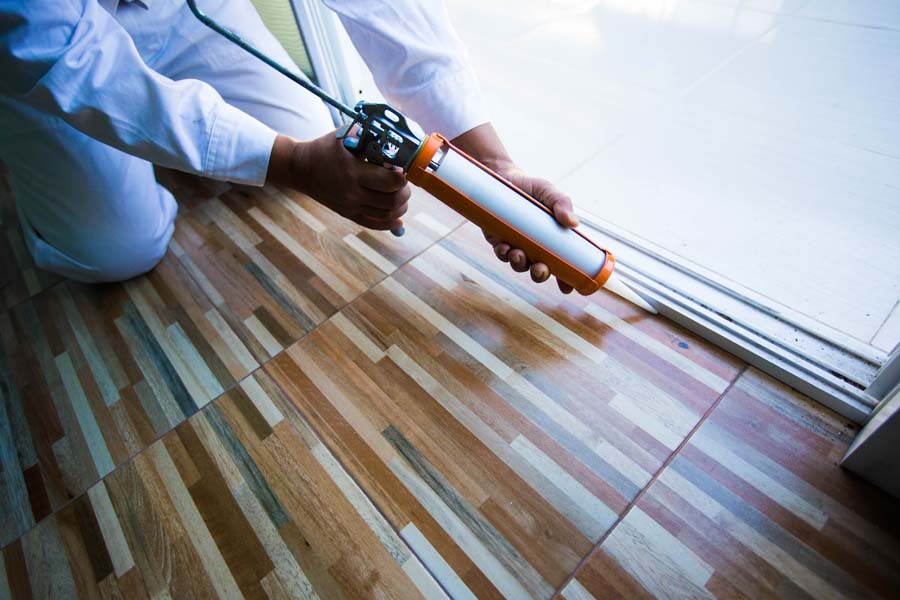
[(484, 144)]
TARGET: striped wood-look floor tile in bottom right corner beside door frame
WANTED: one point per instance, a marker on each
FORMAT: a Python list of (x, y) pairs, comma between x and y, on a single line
[(756, 506)]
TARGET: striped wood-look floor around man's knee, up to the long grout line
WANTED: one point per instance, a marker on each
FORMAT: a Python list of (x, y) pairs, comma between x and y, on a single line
[(93, 374)]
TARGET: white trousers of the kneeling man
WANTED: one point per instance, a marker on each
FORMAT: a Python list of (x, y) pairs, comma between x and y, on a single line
[(94, 213)]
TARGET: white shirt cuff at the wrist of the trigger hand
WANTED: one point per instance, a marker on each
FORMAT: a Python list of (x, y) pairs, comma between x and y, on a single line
[(239, 148)]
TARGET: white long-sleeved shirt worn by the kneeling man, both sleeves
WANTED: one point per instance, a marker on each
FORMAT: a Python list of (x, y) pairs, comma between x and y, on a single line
[(70, 58)]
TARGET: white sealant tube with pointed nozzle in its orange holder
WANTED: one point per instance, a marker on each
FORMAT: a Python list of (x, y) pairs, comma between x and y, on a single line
[(502, 209)]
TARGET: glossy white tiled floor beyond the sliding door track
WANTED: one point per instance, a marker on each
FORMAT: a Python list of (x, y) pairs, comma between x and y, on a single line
[(755, 140)]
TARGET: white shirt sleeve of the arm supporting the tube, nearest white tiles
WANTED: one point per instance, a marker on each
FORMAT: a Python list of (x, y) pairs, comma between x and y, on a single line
[(418, 61)]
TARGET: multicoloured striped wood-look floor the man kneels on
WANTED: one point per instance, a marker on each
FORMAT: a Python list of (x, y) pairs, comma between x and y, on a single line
[(291, 407)]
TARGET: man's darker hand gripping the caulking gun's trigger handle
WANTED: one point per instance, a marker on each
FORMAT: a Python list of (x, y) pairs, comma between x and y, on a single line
[(371, 195)]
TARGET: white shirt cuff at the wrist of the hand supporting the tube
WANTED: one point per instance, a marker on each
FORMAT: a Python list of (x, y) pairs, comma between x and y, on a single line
[(451, 105)]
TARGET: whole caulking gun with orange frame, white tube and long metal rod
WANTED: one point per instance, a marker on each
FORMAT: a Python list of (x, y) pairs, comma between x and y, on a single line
[(383, 137)]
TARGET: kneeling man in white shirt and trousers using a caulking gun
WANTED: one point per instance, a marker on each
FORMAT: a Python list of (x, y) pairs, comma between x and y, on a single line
[(93, 92)]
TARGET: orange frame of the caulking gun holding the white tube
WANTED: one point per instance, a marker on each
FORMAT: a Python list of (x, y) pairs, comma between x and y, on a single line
[(420, 173)]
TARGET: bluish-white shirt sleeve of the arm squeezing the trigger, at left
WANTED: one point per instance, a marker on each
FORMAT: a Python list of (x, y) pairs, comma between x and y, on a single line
[(70, 58)]
